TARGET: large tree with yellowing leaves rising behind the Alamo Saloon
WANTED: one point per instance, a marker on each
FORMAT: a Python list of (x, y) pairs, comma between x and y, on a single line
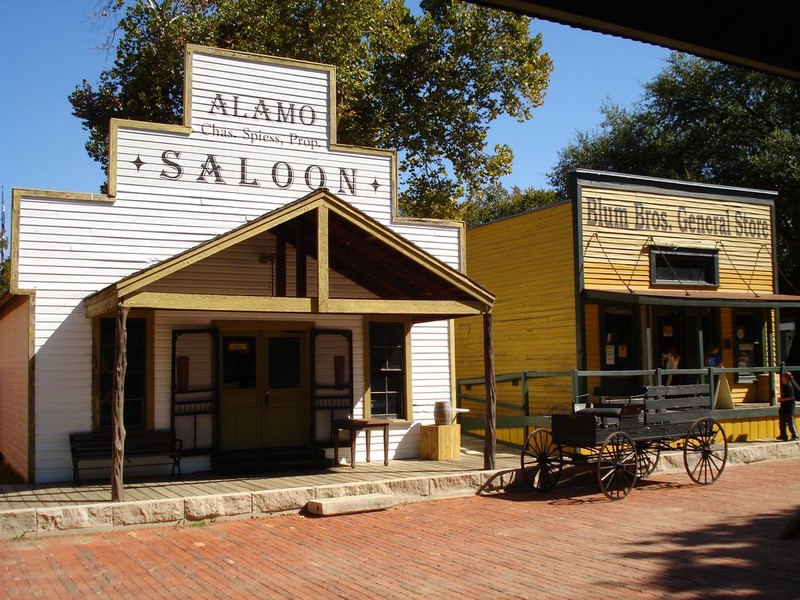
[(428, 85)]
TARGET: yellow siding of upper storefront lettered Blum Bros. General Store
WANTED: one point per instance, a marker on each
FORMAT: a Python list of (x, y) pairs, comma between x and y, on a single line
[(616, 243)]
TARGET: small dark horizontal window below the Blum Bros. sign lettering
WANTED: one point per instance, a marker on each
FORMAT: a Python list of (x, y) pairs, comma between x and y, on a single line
[(684, 266)]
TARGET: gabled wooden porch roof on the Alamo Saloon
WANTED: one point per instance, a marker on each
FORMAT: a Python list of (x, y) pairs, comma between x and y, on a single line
[(403, 278)]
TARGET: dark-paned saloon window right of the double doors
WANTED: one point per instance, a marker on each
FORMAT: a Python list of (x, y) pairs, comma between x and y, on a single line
[(387, 369)]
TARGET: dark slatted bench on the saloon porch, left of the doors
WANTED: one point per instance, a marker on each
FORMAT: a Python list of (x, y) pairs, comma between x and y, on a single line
[(138, 443)]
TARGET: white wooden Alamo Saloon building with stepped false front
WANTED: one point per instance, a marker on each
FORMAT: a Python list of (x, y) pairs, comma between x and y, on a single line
[(268, 283)]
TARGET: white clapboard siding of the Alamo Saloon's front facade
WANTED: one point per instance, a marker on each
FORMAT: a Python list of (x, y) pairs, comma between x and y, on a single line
[(69, 248)]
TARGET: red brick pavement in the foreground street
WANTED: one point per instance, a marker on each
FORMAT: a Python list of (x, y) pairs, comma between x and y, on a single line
[(668, 539)]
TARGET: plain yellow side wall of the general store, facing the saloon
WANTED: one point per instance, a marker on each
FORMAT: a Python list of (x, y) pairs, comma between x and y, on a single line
[(534, 313)]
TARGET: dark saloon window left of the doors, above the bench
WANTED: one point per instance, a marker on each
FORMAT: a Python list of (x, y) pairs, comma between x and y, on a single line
[(135, 374)]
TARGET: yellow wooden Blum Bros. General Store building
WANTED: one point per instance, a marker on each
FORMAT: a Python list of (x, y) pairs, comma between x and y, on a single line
[(634, 280)]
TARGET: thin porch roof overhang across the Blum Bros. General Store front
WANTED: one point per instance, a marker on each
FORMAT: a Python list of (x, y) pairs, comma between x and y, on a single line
[(695, 298)]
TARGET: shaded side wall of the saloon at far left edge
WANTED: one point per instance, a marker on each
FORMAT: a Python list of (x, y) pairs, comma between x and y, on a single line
[(14, 387)]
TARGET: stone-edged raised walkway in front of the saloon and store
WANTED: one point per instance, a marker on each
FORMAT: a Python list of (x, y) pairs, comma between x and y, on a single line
[(44, 510)]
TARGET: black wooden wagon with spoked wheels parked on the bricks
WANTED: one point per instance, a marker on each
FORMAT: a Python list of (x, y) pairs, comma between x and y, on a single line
[(624, 434)]
